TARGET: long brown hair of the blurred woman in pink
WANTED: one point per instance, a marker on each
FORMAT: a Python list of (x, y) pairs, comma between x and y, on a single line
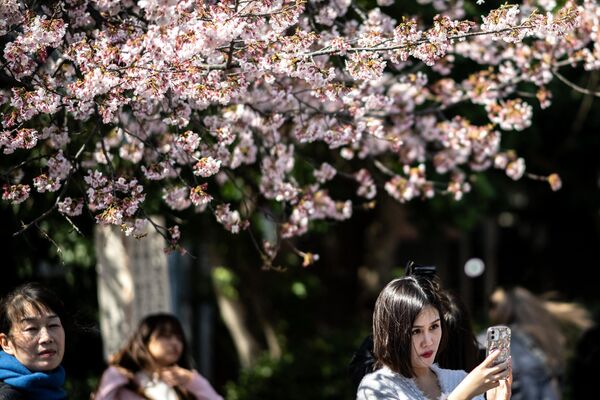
[(135, 356)]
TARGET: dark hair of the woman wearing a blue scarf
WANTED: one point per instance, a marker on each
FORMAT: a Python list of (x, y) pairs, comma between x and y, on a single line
[(14, 305)]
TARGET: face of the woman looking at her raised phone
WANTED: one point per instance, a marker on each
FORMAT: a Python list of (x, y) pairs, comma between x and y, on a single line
[(426, 336)]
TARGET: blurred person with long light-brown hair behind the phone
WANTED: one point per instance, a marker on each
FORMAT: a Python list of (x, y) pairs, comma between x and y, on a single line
[(537, 343)]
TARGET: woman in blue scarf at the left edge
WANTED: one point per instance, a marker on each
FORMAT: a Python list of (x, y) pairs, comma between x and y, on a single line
[(33, 344)]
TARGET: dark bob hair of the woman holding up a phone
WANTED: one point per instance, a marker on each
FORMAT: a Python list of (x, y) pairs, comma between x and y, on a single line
[(396, 309)]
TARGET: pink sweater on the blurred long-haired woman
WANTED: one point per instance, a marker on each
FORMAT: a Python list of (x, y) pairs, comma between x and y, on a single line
[(112, 387)]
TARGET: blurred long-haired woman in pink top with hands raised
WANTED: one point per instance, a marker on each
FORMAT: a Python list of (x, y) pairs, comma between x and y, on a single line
[(154, 365)]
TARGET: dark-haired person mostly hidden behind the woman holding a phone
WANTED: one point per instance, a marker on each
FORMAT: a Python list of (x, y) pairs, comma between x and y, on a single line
[(462, 351)]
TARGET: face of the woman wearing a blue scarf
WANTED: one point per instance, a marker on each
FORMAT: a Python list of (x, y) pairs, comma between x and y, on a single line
[(37, 340)]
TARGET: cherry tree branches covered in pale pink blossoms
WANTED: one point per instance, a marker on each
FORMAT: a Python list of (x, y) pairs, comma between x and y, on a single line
[(108, 106)]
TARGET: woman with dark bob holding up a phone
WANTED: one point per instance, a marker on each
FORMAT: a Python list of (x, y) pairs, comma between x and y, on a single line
[(408, 332)]
